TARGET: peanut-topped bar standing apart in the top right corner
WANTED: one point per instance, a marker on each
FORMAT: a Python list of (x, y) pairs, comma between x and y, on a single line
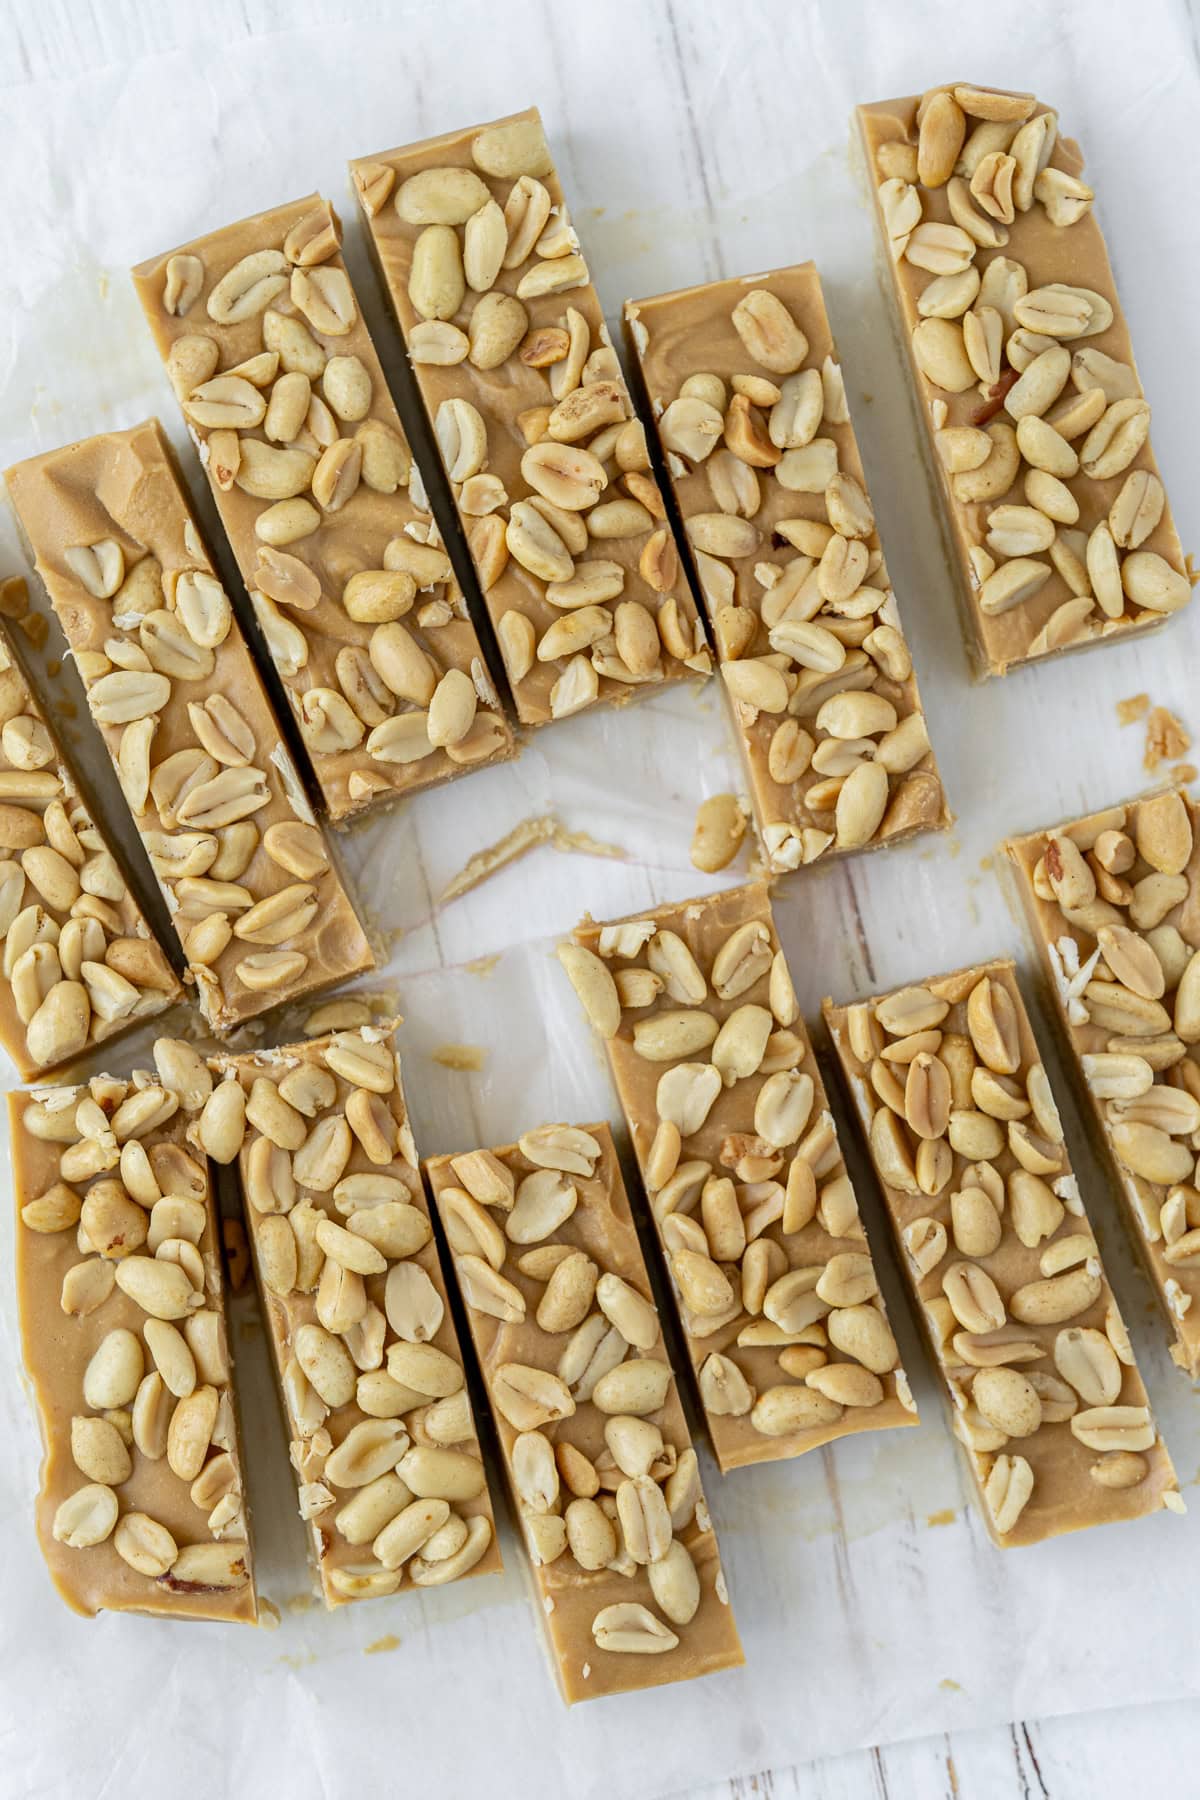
[(1034, 415)]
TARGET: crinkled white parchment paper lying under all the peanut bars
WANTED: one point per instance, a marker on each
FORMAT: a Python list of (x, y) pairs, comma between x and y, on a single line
[(694, 139)]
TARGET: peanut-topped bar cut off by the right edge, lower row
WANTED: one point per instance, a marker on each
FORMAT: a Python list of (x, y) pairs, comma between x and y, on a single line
[(1115, 908)]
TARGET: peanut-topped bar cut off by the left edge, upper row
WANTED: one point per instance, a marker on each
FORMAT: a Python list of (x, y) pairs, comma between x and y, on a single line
[(80, 962)]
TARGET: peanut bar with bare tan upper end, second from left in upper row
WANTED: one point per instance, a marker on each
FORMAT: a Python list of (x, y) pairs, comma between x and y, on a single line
[(260, 910)]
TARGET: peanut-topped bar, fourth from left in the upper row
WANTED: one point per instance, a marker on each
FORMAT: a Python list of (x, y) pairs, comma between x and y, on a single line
[(533, 420)]
